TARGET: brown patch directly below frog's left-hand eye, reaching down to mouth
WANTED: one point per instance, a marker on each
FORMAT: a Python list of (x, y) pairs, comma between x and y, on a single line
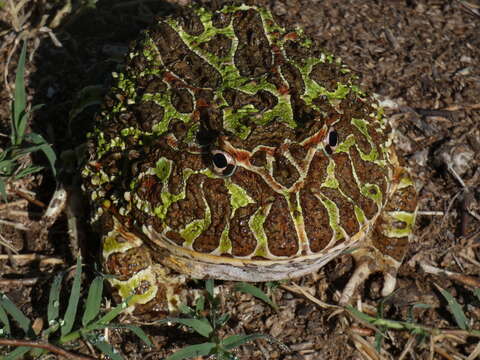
[(218, 200)]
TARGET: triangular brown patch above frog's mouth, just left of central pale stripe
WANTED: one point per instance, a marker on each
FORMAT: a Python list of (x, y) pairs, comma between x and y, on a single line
[(280, 230)]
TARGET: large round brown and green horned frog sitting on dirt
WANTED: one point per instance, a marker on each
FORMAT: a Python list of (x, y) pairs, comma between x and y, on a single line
[(231, 147)]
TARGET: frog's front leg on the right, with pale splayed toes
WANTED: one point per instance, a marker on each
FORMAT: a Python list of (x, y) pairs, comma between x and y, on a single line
[(387, 242)]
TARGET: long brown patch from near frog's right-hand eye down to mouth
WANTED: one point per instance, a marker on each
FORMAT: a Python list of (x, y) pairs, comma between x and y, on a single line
[(315, 214)]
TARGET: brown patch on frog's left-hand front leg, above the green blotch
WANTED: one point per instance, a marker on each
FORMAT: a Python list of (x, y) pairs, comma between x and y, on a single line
[(124, 265)]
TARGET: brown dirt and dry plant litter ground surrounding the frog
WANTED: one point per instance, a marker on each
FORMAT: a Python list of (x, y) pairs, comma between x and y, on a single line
[(421, 58)]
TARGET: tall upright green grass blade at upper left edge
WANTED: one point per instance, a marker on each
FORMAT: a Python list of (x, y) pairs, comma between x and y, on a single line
[(20, 100)]
